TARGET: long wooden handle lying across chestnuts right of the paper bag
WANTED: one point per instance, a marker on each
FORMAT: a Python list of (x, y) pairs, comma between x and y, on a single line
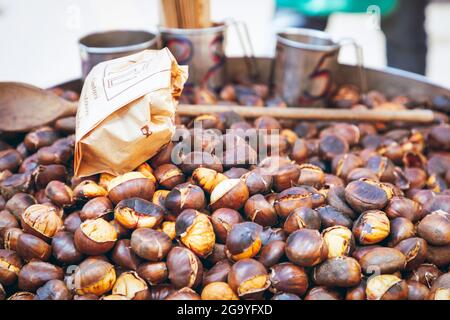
[(416, 115)]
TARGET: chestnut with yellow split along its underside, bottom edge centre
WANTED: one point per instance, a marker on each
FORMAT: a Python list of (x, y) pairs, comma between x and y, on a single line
[(248, 278)]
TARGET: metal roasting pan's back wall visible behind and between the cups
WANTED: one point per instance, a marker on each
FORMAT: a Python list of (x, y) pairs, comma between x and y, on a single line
[(388, 80)]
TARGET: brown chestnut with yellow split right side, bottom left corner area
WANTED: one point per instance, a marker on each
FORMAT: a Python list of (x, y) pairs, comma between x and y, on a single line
[(94, 276)]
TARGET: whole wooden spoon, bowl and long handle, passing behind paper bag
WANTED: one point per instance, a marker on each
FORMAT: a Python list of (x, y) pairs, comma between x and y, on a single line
[(24, 107)]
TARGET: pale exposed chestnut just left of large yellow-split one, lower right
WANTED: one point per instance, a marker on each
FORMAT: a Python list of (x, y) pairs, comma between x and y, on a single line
[(339, 241)]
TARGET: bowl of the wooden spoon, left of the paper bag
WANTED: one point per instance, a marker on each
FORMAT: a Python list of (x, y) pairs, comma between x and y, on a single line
[(24, 107)]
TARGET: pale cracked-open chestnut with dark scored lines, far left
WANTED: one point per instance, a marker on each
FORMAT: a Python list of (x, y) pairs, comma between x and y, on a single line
[(42, 221)]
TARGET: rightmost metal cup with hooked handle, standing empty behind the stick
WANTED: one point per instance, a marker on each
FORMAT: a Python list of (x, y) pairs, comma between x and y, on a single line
[(305, 66)]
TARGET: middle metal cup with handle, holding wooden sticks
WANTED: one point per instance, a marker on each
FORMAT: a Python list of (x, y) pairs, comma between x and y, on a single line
[(203, 50)]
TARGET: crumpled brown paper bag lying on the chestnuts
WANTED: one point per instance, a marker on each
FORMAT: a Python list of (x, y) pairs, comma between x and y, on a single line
[(126, 112)]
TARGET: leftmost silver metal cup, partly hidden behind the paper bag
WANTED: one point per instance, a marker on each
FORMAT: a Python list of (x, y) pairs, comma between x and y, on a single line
[(103, 46)]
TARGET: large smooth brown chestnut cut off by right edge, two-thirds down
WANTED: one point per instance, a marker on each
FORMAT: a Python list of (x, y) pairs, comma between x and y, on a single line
[(435, 228)]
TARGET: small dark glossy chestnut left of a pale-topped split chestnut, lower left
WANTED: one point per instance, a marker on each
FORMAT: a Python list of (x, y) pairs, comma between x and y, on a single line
[(64, 250)]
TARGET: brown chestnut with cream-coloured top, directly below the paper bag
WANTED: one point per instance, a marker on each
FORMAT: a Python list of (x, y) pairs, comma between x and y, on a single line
[(130, 185)]
